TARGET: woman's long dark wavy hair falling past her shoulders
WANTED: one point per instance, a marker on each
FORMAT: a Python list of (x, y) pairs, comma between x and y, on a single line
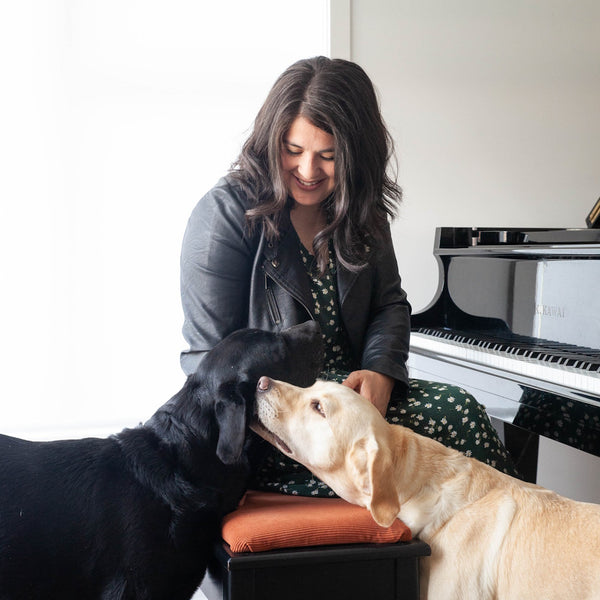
[(338, 97)]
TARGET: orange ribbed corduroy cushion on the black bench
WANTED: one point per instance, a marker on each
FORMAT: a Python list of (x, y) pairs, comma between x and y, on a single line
[(266, 521)]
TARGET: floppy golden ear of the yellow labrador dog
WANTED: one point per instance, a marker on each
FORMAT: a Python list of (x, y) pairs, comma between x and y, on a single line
[(371, 467)]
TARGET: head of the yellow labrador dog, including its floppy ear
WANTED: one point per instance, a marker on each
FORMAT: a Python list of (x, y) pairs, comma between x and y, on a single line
[(337, 434)]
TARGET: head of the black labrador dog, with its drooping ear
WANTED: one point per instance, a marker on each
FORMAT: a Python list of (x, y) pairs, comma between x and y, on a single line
[(216, 402)]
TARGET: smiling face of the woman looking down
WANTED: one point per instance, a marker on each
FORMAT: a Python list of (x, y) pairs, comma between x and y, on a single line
[(307, 160)]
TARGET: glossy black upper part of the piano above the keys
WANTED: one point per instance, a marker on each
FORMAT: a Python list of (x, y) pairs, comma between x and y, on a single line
[(539, 283)]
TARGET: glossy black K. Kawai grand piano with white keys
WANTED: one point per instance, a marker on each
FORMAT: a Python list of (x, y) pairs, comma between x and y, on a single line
[(516, 322)]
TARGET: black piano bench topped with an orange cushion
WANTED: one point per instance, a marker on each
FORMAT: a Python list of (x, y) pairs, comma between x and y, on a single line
[(278, 546)]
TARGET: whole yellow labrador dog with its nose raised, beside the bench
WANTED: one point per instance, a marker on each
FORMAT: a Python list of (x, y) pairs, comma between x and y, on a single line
[(491, 536)]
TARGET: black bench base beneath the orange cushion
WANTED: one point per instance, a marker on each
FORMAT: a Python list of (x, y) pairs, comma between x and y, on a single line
[(352, 572)]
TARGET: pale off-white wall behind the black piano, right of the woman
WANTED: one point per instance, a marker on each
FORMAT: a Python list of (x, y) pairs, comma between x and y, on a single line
[(495, 109)]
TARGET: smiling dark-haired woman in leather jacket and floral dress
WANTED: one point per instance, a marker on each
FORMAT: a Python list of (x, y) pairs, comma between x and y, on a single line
[(299, 229)]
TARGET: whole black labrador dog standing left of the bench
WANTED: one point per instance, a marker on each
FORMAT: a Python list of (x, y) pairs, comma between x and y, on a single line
[(135, 515)]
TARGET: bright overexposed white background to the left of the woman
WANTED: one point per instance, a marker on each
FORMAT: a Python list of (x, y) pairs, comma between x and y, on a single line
[(120, 115)]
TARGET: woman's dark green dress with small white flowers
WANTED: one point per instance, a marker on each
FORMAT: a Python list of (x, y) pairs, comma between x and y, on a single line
[(443, 412)]
